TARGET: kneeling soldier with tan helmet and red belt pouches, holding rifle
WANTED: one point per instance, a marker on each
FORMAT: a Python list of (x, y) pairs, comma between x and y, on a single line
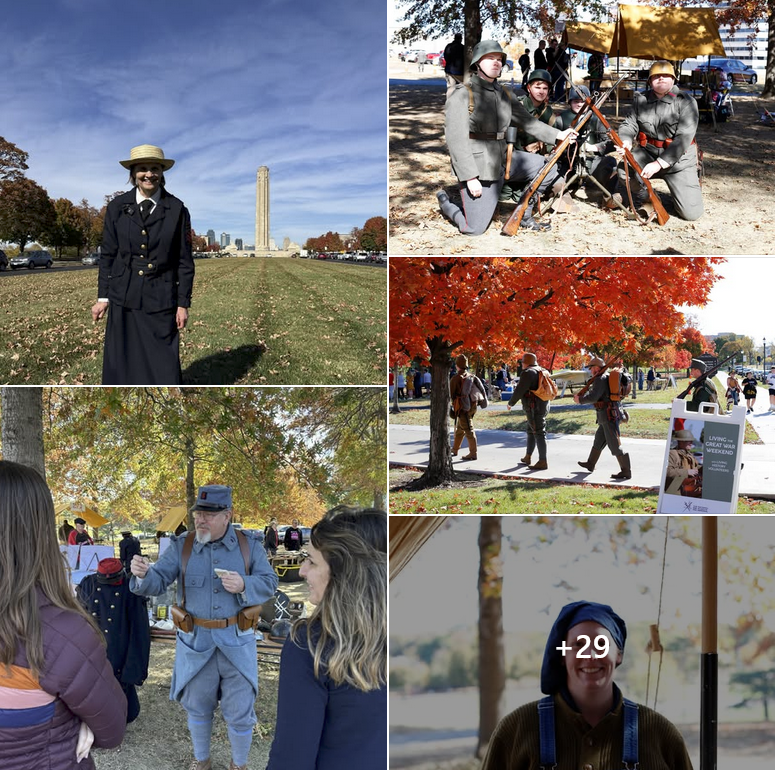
[(660, 130)]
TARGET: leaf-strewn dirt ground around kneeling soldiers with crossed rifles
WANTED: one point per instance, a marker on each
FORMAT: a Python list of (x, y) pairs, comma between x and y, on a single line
[(738, 191)]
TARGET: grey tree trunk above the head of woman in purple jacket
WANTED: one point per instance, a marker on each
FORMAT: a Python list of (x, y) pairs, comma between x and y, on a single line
[(22, 429)]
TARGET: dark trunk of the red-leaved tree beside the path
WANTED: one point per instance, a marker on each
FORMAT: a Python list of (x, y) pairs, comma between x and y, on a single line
[(439, 470)]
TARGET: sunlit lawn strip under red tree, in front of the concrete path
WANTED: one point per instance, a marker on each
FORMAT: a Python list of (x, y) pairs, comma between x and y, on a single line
[(482, 494)]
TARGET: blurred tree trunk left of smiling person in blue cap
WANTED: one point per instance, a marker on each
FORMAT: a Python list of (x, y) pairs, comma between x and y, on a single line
[(492, 665)]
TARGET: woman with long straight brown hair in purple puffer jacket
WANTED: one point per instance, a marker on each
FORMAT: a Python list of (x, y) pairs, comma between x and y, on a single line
[(58, 694)]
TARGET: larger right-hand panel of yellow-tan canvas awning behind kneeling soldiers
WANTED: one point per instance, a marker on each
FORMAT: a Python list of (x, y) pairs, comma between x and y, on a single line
[(646, 32)]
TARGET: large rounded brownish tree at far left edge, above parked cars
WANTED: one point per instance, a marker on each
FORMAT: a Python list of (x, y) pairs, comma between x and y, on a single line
[(26, 213)]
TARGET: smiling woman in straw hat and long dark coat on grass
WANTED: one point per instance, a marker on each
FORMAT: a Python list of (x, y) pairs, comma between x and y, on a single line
[(146, 276)]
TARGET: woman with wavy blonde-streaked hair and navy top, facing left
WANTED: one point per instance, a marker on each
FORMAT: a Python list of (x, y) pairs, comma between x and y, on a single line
[(332, 701)]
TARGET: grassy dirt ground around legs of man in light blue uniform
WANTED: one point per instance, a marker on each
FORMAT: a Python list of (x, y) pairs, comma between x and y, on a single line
[(159, 740)]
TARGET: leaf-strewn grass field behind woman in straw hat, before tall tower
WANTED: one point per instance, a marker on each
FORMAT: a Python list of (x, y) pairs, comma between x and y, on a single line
[(252, 321)]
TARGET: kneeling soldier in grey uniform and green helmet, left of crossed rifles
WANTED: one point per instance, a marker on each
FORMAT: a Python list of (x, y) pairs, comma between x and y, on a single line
[(477, 116)]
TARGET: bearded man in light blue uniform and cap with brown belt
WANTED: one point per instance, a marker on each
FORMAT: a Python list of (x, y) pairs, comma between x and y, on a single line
[(223, 576)]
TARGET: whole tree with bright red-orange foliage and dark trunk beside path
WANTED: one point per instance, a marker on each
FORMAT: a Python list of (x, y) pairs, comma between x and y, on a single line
[(440, 305)]
